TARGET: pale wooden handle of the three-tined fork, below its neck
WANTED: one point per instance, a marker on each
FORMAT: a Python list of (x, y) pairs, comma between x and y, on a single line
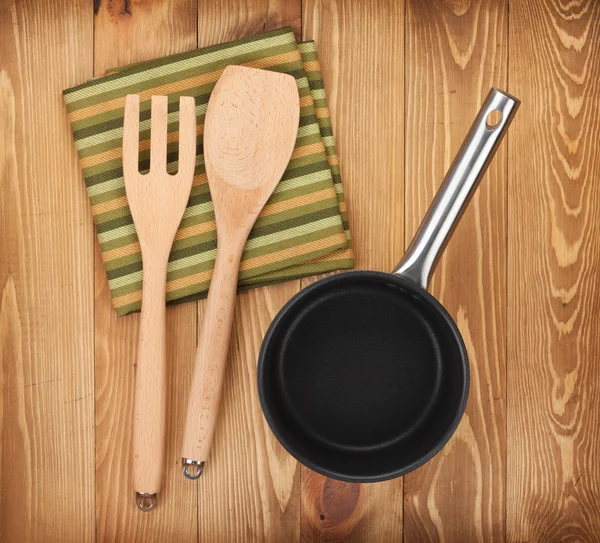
[(150, 400)]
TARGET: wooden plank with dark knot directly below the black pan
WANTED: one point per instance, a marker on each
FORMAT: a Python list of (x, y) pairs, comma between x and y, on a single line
[(361, 48)]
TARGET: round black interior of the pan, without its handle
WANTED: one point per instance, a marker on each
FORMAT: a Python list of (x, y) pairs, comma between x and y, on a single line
[(361, 377)]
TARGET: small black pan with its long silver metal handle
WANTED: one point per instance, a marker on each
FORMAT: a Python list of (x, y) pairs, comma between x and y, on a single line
[(363, 376)]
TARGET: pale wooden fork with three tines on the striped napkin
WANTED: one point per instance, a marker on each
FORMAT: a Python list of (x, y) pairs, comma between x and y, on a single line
[(157, 201)]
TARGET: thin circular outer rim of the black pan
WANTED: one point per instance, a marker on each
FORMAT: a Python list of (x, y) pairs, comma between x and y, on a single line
[(369, 276)]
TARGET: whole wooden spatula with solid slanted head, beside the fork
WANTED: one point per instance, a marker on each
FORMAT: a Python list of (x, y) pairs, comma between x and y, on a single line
[(249, 135)]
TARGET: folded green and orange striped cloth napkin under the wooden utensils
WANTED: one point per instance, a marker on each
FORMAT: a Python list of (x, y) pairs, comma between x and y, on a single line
[(303, 229)]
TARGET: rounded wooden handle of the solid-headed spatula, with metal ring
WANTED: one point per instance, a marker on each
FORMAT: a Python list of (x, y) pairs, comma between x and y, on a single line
[(211, 359)]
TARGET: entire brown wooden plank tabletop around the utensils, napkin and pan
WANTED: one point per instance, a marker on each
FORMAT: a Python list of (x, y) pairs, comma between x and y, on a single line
[(521, 277)]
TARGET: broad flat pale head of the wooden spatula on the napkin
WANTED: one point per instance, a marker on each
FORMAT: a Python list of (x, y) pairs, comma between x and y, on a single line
[(250, 130)]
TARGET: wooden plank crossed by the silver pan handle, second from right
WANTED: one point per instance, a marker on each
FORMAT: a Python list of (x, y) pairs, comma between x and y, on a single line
[(455, 52)]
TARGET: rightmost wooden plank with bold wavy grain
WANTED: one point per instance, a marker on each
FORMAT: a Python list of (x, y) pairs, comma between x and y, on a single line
[(553, 484)]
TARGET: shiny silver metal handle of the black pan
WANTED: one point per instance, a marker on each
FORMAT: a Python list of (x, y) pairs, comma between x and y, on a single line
[(458, 187)]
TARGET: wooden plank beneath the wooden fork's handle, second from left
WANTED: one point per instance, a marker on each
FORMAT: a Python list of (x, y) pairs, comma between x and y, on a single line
[(130, 32)]
